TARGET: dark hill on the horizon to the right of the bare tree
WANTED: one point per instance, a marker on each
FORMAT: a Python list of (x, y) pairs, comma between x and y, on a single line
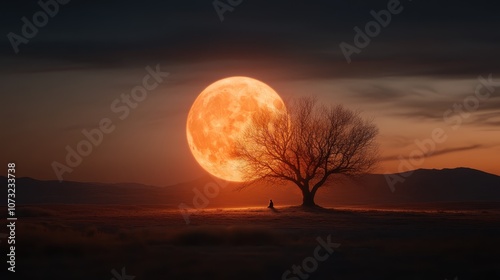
[(422, 185)]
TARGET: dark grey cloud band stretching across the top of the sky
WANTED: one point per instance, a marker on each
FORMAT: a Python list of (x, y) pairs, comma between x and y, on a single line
[(429, 39)]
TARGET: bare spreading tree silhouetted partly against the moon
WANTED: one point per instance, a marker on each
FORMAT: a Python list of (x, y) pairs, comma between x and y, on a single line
[(307, 145)]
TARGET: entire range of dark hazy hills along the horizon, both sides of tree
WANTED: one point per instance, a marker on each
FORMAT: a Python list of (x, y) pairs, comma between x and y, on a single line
[(422, 186)]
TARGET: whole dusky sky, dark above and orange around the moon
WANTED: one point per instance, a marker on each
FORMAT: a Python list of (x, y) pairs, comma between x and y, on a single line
[(411, 78)]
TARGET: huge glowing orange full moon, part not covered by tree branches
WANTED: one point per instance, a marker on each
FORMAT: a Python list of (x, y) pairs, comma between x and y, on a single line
[(218, 118)]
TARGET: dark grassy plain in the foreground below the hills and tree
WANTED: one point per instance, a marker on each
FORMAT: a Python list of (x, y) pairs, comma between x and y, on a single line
[(96, 242)]
